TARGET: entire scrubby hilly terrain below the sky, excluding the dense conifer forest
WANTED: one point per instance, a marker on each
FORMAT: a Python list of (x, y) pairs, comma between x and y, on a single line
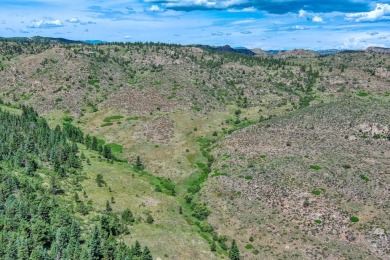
[(274, 151)]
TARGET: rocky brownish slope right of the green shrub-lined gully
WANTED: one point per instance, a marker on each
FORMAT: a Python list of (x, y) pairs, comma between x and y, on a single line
[(295, 183)]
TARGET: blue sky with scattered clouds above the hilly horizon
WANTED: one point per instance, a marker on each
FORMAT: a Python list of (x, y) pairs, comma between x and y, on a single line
[(263, 24)]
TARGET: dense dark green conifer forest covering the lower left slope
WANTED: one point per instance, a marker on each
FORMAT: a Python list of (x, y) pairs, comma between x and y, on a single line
[(35, 221)]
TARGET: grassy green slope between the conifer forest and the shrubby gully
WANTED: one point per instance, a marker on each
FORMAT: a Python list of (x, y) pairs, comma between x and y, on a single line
[(134, 190)]
